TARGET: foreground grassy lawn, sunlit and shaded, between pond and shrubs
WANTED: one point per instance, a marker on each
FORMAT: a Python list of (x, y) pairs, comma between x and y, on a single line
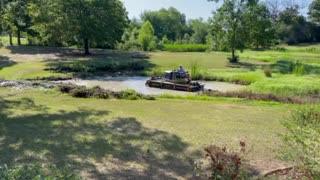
[(121, 138)]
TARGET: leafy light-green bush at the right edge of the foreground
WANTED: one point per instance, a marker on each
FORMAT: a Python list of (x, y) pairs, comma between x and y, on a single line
[(302, 139)]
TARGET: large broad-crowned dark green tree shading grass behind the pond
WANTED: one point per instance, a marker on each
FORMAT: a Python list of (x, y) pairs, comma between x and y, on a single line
[(82, 22)]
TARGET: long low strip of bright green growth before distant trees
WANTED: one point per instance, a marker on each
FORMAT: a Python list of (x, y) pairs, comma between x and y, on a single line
[(186, 47)]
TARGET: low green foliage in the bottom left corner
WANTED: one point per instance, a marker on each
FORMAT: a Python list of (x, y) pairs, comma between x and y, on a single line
[(34, 172)]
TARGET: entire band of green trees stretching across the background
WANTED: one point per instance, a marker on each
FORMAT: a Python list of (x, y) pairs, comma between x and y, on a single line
[(235, 25)]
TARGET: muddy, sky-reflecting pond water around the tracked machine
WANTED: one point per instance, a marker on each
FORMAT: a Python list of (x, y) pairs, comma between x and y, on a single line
[(137, 83)]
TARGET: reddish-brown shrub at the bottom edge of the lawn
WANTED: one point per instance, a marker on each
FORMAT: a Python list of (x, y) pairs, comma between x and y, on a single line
[(221, 163)]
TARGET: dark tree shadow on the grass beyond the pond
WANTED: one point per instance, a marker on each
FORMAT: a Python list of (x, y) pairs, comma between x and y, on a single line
[(121, 63)]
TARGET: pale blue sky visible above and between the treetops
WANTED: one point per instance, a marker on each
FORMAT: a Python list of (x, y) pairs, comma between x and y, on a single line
[(191, 8)]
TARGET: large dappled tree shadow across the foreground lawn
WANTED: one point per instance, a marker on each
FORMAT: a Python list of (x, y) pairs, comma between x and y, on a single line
[(81, 141)]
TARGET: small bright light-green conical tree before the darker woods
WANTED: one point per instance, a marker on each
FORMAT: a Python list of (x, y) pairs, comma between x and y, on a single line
[(146, 36)]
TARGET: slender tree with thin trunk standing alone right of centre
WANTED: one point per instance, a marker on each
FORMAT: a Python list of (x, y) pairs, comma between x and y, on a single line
[(231, 17)]
